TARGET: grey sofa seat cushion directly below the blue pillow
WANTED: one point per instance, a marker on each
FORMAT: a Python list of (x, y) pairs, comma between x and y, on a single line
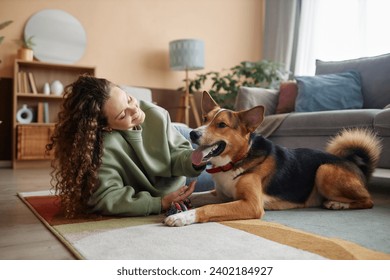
[(325, 123)]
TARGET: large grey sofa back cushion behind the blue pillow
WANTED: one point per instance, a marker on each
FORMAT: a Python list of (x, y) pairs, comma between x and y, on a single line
[(374, 73)]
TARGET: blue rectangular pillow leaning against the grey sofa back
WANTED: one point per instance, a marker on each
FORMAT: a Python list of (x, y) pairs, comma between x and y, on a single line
[(329, 92)]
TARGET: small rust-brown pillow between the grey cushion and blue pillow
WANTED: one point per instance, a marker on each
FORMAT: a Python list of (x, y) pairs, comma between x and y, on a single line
[(288, 92)]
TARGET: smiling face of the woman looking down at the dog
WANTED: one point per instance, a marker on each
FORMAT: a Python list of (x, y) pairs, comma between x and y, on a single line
[(122, 110)]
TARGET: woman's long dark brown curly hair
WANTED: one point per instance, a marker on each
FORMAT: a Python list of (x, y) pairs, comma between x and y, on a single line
[(77, 142)]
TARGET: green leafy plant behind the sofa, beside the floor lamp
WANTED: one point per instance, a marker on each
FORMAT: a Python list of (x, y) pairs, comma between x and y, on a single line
[(224, 86)]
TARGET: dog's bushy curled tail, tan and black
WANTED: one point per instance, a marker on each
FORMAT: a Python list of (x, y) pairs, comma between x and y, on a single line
[(360, 146)]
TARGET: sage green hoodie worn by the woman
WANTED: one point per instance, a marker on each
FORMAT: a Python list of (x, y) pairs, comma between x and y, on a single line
[(140, 166)]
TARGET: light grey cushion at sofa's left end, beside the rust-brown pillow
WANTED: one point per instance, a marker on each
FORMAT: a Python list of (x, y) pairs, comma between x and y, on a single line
[(249, 97)]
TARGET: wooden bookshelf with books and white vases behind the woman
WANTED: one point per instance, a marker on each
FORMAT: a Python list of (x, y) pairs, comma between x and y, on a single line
[(32, 128)]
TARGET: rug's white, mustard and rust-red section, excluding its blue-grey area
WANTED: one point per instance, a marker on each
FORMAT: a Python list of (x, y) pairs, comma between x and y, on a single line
[(143, 238)]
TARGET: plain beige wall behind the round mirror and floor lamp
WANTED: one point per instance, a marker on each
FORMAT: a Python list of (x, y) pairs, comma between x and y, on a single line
[(127, 40)]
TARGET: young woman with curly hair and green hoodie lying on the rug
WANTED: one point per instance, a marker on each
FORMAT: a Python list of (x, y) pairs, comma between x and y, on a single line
[(116, 156)]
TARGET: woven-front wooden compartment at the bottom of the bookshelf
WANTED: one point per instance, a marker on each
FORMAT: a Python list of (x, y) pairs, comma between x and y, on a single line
[(32, 140)]
